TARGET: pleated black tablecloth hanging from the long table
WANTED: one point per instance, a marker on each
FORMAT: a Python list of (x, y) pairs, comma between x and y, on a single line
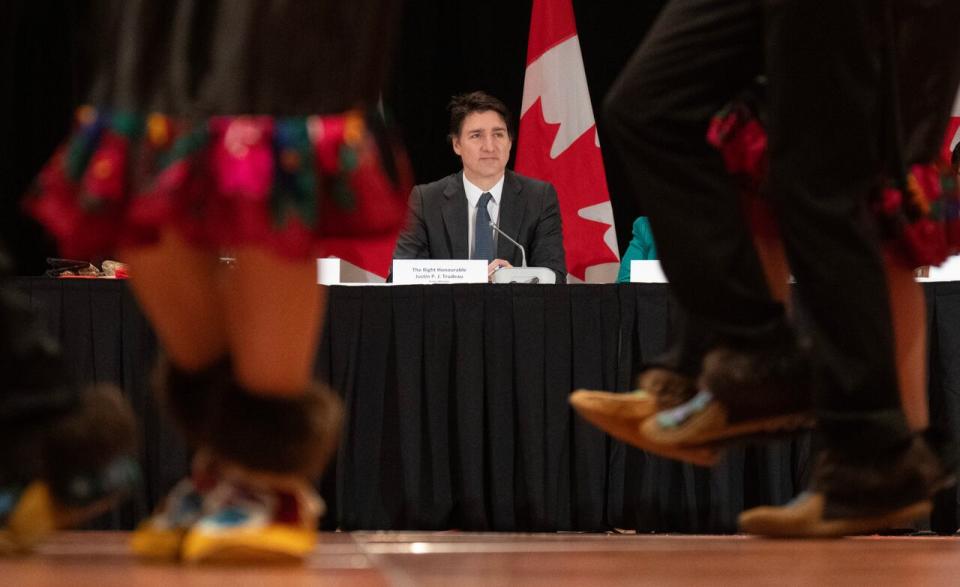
[(457, 407)]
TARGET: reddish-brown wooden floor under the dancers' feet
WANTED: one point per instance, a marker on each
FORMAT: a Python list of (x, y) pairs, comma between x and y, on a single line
[(77, 559)]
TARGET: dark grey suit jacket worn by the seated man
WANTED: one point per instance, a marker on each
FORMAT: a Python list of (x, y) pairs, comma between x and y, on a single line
[(529, 213)]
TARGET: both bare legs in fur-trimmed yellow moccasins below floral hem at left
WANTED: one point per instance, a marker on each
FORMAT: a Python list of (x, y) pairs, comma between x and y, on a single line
[(270, 430)]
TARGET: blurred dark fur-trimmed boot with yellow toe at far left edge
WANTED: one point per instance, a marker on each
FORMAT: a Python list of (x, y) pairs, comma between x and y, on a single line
[(59, 470)]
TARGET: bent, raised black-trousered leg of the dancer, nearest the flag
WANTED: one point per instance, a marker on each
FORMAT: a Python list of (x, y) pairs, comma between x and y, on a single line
[(698, 56)]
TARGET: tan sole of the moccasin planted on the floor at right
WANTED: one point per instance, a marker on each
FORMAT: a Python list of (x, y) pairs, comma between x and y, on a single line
[(756, 523)]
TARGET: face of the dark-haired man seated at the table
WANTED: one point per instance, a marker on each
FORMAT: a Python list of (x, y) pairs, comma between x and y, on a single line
[(484, 146)]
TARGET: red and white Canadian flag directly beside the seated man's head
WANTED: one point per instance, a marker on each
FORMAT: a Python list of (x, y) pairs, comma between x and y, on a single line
[(558, 142)]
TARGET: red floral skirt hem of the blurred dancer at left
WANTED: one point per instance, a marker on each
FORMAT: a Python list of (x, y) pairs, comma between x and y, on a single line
[(299, 186)]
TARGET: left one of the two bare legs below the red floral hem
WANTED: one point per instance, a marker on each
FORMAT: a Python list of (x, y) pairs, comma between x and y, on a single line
[(178, 287)]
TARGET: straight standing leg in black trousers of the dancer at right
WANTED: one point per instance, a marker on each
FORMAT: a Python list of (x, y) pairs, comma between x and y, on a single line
[(819, 181)]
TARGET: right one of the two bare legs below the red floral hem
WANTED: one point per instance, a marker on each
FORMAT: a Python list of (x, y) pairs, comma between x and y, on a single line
[(274, 428)]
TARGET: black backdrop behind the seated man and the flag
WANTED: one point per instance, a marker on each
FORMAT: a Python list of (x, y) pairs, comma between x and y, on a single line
[(444, 47)]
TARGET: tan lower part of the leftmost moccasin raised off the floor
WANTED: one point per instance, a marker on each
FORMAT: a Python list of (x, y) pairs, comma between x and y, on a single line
[(629, 430)]
